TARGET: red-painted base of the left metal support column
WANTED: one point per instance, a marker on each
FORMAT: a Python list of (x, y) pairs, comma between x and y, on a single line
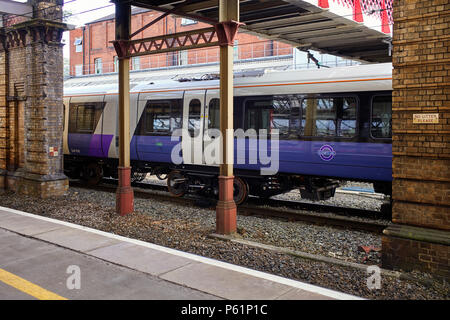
[(124, 193)]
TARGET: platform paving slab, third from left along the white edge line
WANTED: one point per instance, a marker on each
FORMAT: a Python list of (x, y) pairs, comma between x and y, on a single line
[(140, 258)]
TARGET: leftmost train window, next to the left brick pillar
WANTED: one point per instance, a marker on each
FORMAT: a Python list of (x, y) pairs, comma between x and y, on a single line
[(84, 117)]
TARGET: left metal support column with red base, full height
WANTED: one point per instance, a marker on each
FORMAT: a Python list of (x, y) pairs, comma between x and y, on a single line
[(124, 194)]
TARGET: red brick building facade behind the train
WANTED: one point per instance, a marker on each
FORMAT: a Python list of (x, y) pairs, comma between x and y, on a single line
[(92, 51)]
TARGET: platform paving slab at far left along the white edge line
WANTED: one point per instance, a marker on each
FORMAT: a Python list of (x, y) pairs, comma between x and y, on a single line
[(26, 225)]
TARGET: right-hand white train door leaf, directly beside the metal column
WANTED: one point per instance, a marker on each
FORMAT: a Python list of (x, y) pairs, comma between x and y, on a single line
[(212, 150)]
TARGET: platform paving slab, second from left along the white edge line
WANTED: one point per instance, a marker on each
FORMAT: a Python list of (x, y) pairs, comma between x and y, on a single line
[(77, 240)]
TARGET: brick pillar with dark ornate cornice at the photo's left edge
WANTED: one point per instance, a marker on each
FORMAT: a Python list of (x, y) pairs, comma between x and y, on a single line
[(34, 113)]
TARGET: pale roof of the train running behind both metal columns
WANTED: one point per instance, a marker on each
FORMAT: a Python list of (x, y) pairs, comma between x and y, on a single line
[(365, 72)]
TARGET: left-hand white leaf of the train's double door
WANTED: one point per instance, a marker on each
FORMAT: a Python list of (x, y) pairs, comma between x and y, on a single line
[(193, 127)]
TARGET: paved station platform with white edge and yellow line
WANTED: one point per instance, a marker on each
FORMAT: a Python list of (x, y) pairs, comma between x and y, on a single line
[(36, 253)]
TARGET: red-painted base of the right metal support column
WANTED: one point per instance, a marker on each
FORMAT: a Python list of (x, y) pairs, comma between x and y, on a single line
[(226, 210)]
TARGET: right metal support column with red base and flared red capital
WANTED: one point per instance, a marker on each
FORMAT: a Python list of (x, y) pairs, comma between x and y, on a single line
[(228, 25)]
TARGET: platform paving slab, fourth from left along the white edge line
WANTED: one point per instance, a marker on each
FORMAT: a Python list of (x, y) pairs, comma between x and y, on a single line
[(226, 283)]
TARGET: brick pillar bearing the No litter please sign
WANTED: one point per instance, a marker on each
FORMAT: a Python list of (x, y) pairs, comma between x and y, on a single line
[(420, 236)]
